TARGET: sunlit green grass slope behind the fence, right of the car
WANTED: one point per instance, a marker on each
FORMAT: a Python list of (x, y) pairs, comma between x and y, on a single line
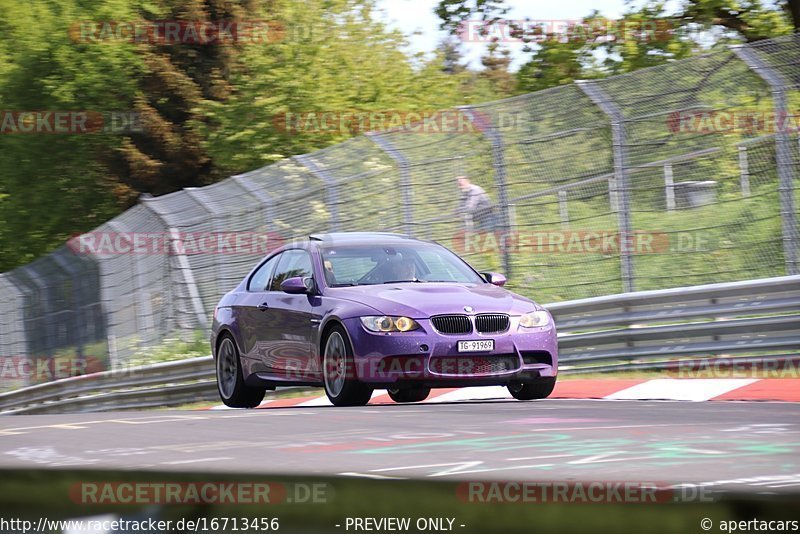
[(716, 243)]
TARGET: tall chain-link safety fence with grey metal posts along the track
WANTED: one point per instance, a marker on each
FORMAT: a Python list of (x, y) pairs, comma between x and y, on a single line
[(627, 183)]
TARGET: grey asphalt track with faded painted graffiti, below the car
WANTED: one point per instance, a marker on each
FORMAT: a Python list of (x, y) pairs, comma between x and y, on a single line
[(735, 446)]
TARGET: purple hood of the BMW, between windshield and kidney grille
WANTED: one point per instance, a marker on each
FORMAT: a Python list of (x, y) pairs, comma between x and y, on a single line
[(420, 300)]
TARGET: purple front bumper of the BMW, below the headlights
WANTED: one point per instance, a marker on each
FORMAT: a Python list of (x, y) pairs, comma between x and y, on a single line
[(427, 357)]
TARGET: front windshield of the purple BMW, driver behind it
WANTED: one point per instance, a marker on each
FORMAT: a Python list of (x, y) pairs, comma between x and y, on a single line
[(355, 265)]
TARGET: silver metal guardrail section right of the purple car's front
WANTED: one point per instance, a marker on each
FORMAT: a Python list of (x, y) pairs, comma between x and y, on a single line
[(738, 317)]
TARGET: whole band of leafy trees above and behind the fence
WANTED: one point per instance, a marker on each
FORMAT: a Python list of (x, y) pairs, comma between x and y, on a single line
[(209, 111)]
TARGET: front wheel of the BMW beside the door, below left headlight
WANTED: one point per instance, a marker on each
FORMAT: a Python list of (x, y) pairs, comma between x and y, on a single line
[(339, 373)]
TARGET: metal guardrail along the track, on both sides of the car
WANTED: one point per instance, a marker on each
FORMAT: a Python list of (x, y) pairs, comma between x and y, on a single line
[(631, 331)]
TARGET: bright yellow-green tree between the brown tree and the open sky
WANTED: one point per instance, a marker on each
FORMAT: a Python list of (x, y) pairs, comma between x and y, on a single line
[(335, 57)]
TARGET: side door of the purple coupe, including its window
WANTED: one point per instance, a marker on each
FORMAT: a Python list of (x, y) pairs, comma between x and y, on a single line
[(289, 351)]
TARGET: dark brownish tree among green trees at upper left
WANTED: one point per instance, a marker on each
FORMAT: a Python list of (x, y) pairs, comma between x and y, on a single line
[(178, 78)]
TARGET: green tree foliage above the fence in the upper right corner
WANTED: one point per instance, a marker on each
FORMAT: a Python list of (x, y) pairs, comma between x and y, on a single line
[(618, 46)]
